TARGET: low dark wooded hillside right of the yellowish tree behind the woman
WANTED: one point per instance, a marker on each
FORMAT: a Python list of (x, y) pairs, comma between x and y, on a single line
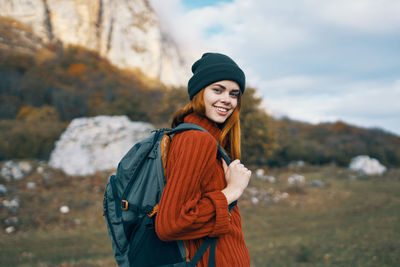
[(333, 142)]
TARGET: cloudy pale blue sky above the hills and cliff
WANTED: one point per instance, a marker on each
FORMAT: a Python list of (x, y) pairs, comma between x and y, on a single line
[(311, 60)]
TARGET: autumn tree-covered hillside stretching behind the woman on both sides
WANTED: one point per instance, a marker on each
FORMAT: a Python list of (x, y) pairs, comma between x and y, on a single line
[(41, 92)]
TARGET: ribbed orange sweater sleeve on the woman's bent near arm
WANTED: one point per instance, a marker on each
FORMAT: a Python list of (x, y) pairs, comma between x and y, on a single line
[(185, 212)]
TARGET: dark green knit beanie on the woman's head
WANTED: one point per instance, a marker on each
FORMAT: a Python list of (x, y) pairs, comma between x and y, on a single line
[(213, 67)]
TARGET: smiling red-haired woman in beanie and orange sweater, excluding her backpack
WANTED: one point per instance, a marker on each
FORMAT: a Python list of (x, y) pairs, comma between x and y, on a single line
[(200, 185)]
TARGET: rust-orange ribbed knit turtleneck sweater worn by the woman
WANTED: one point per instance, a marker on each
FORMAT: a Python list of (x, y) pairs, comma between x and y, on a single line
[(192, 205)]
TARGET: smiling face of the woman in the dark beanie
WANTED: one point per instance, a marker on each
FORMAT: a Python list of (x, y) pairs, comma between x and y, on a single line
[(220, 99)]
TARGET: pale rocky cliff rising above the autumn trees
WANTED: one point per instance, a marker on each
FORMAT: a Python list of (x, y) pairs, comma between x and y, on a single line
[(127, 32)]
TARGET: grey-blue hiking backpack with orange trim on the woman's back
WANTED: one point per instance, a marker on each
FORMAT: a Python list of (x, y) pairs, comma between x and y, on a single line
[(131, 200)]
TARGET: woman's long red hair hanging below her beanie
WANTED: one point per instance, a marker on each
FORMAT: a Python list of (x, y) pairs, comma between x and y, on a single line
[(230, 130)]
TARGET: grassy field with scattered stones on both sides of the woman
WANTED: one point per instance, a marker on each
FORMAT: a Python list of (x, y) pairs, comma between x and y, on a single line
[(350, 221)]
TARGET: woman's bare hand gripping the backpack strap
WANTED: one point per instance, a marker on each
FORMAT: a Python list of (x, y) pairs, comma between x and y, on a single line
[(237, 178)]
